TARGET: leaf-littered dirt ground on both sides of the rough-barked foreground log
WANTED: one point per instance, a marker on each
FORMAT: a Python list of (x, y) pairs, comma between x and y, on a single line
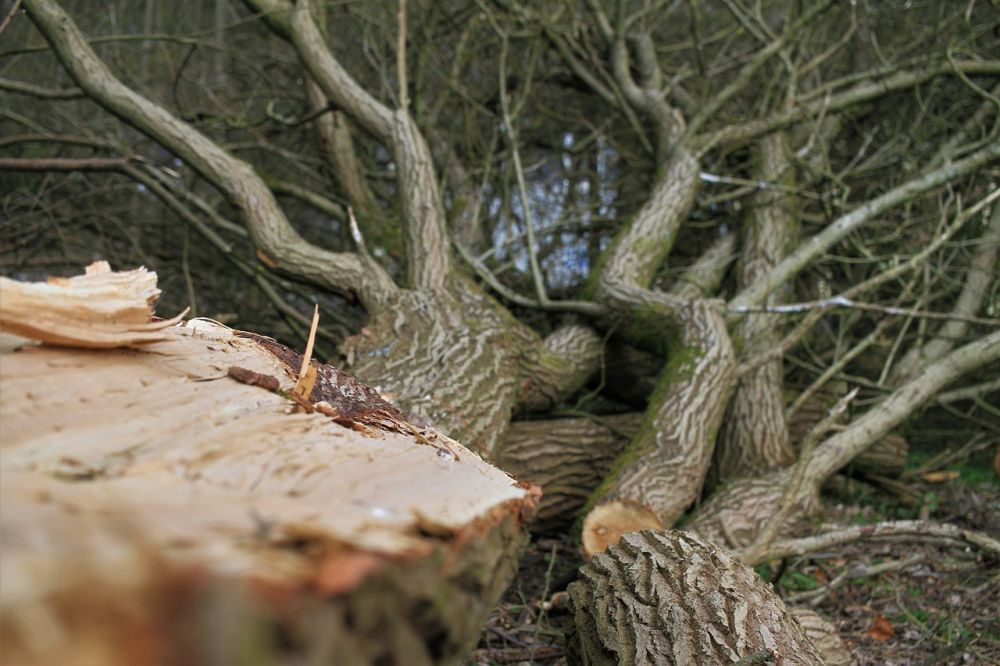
[(897, 603)]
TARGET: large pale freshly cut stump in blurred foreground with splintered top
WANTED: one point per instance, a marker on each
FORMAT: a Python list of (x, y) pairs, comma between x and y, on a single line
[(178, 502)]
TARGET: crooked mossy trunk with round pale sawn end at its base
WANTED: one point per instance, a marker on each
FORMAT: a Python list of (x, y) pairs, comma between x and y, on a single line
[(661, 471)]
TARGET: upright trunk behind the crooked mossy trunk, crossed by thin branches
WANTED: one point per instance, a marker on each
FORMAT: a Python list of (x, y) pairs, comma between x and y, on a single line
[(754, 436)]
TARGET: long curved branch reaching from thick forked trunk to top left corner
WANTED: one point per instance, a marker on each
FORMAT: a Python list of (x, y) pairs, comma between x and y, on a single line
[(268, 227)]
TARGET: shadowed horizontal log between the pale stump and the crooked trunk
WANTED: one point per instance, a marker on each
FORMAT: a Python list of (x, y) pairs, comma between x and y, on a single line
[(568, 458)]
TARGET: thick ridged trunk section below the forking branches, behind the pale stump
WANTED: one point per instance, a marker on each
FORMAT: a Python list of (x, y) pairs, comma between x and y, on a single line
[(460, 342)]
